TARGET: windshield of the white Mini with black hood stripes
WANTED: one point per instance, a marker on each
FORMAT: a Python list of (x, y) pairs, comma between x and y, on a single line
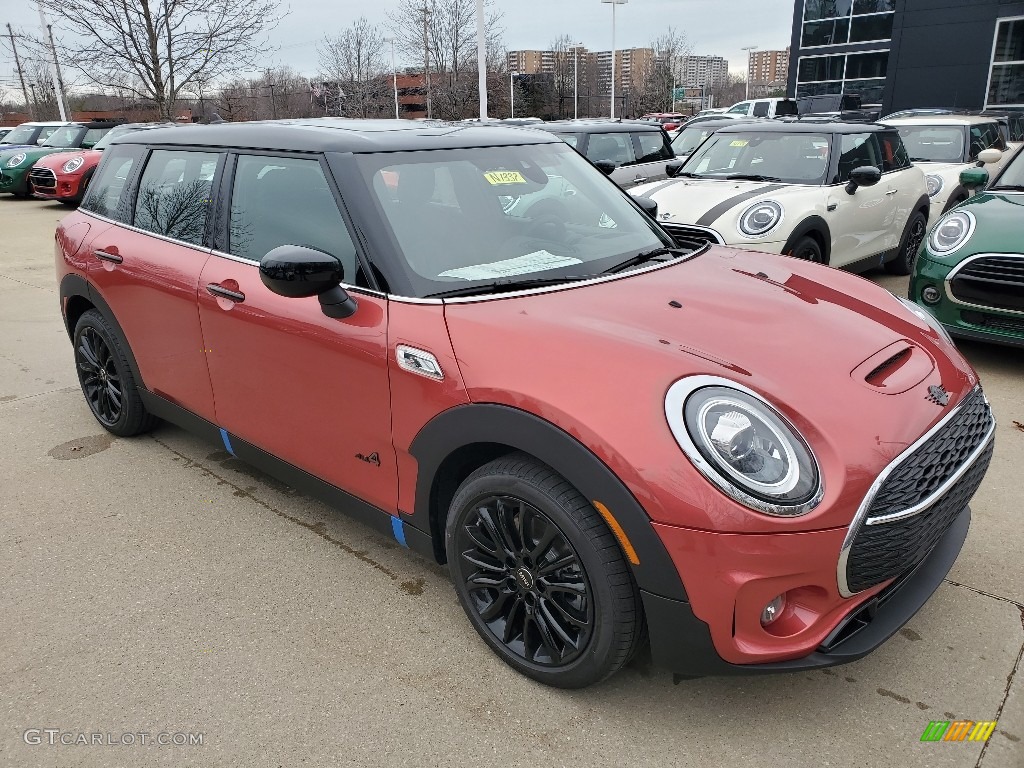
[(791, 158)]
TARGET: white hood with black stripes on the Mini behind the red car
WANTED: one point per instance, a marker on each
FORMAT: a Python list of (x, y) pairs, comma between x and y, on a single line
[(703, 202)]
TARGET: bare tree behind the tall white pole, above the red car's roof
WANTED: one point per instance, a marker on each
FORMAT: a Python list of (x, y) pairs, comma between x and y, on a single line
[(444, 32)]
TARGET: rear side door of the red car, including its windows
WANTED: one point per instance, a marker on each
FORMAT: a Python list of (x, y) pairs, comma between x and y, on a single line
[(147, 267)]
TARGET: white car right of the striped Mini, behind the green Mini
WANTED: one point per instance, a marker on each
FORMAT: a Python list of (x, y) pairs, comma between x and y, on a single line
[(943, 146)]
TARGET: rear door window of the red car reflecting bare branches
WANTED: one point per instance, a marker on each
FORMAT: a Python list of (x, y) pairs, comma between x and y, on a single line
[(175, 194)]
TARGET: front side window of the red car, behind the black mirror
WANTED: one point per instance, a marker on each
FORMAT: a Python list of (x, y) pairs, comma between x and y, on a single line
[(287, 201)]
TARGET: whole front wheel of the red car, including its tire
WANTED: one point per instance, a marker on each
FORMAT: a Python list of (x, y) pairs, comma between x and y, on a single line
[(540, 576)]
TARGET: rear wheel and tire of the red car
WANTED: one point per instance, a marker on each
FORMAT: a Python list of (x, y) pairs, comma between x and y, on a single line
[(107, 380)]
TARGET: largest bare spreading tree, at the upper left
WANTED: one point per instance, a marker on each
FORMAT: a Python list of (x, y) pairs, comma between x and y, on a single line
[(157, 50)]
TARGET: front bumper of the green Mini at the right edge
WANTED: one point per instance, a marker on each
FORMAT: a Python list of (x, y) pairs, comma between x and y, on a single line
[(964, 321)]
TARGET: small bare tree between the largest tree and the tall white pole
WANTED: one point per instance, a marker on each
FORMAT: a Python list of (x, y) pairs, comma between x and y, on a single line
[(357, 62)]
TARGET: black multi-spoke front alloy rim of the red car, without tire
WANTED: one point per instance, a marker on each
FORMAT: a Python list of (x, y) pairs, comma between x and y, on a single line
[(526, 581)]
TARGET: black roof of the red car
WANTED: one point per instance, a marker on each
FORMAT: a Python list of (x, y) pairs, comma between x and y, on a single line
[(338, 135)]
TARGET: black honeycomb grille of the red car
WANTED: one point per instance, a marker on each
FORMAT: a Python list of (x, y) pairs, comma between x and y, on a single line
[(884, 551)]
